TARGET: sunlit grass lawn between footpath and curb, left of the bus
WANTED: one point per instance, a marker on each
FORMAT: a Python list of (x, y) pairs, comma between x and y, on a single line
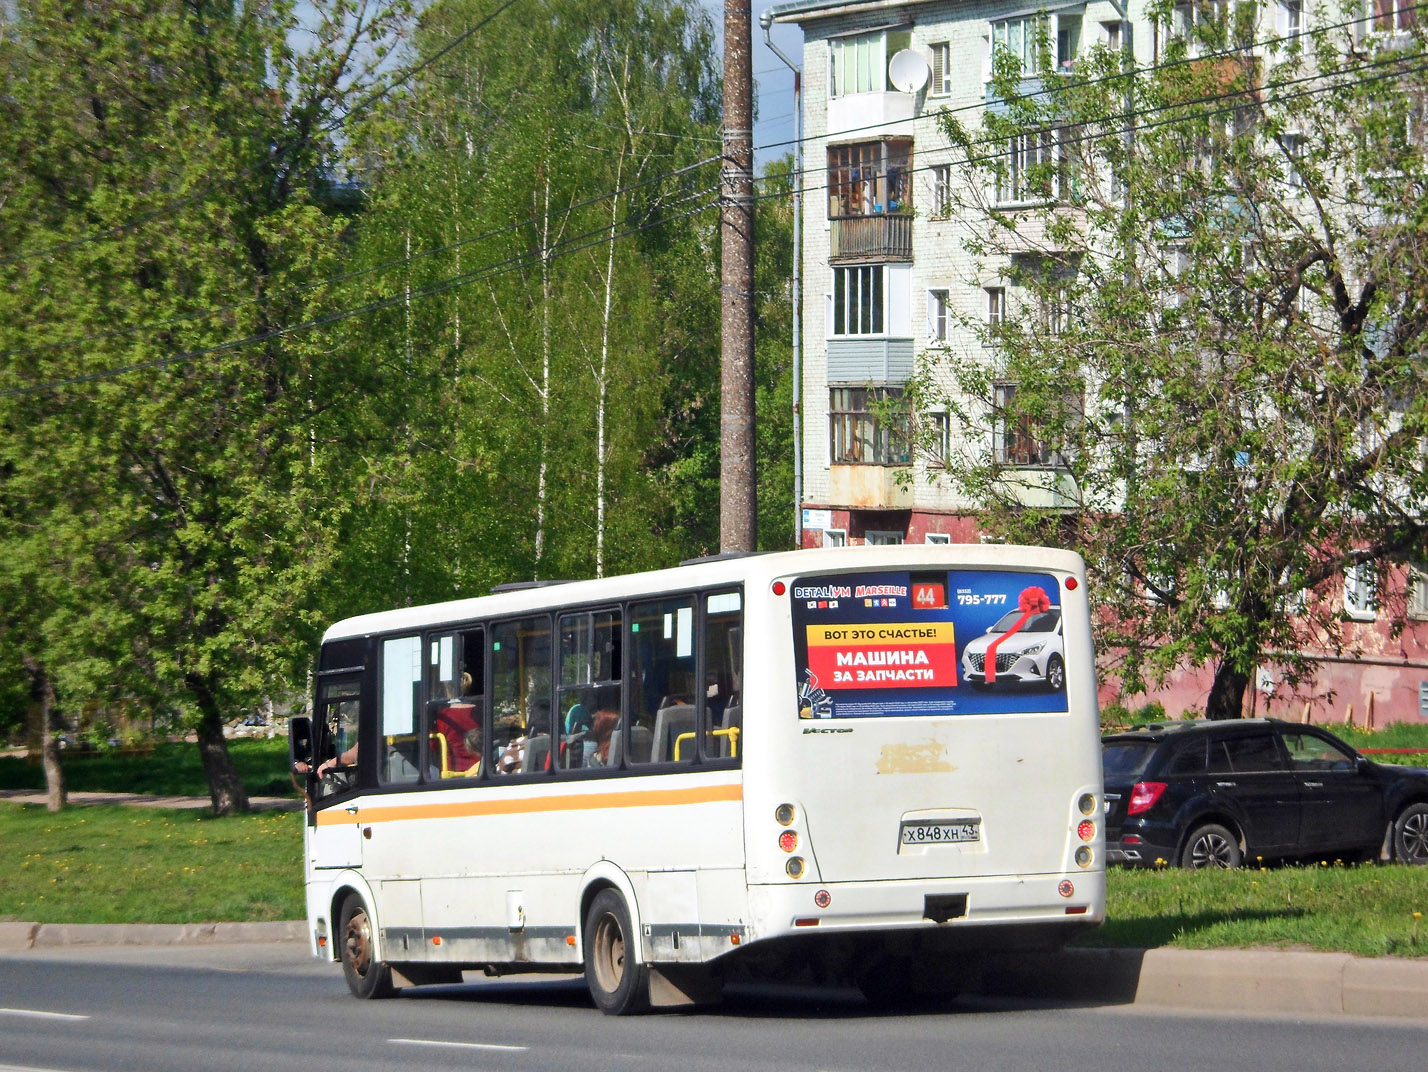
[(146, 866)]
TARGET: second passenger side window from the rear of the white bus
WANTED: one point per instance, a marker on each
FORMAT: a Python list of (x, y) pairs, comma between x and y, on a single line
[(662, 682)]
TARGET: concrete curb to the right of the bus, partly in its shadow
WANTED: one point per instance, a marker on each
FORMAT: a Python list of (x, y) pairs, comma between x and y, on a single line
[(1219, 980)]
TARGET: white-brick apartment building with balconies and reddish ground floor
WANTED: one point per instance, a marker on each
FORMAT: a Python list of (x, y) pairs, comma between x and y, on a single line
[(888, 280)]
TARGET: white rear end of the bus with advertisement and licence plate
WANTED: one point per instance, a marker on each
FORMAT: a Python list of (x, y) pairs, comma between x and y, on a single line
[(929, 777)]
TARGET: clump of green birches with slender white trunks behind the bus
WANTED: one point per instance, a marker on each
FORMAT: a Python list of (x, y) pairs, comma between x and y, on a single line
[(538, 193)]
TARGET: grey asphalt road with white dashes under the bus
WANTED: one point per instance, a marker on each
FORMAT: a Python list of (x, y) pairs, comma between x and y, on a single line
[(255, 1008)]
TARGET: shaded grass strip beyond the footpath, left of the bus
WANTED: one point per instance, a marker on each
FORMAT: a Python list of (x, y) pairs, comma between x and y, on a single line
[(174, 770)]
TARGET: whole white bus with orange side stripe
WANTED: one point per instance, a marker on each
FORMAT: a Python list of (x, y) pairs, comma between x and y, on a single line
[(853, 763)]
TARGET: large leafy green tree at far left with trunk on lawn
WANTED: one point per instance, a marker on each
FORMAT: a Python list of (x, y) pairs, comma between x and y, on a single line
[(175, 463)]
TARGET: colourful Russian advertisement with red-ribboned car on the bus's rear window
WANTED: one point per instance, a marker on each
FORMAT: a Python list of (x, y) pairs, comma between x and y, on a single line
[(946, 643)]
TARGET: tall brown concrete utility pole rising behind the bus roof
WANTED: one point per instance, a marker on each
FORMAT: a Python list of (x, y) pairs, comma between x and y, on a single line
[(739, 490)]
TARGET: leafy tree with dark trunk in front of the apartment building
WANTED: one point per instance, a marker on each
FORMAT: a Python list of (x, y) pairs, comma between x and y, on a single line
[(1215, 353)]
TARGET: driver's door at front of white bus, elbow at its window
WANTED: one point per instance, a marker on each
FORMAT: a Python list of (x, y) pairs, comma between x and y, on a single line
[(336, 840)]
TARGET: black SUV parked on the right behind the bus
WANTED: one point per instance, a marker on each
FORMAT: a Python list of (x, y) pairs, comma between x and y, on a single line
[(1216, 794)]
